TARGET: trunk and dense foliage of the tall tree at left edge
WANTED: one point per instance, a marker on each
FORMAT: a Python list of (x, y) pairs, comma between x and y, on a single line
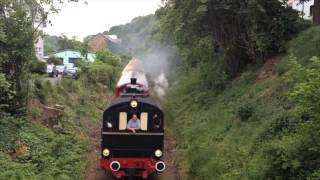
[(17, 47)]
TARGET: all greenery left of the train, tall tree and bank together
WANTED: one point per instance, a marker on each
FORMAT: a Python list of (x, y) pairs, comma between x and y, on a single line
[(29, 149)]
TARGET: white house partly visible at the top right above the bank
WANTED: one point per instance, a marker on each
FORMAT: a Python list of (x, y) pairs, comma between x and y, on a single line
[(303, 8)]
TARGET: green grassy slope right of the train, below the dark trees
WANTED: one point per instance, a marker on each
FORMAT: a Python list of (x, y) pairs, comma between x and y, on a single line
[(215, 142)]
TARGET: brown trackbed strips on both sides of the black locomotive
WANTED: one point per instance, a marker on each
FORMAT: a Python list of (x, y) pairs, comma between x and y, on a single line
[(93, 168)]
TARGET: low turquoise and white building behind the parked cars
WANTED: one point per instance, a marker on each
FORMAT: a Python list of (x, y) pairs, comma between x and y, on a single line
[(71, 56)]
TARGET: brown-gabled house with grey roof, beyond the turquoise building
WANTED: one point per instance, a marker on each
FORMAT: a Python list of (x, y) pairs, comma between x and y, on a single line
[(102, 41)]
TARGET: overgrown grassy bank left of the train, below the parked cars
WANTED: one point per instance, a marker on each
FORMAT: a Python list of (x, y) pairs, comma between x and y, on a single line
[(30, 150)]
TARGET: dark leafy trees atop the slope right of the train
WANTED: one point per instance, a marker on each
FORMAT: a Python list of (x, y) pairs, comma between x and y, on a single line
[(241, 32)]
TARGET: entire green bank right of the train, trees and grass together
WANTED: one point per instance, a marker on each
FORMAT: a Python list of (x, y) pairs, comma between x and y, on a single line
[(229, 122)]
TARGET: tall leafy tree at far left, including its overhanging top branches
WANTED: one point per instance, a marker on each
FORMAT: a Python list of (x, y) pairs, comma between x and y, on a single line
[(17, 35)]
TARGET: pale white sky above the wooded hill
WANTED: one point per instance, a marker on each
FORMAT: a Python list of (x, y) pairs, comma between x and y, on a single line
[(82, 19)]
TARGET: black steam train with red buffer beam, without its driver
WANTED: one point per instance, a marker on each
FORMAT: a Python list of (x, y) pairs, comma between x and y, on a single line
[(128, 154)]
